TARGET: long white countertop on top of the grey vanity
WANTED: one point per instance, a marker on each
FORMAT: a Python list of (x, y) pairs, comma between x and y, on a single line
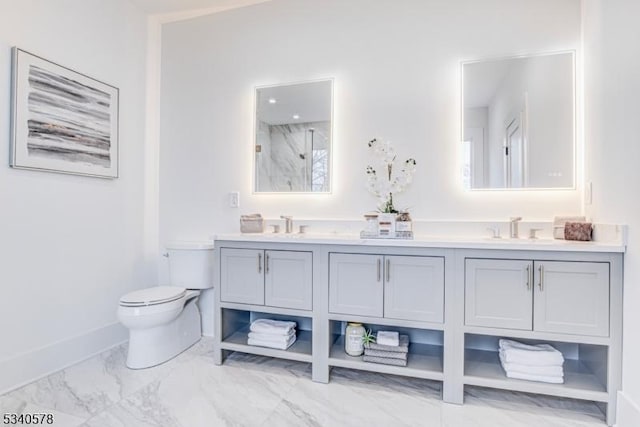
[(430, 242)]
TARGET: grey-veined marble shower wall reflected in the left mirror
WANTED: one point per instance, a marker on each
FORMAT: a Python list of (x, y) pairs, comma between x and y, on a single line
[(285, 162)]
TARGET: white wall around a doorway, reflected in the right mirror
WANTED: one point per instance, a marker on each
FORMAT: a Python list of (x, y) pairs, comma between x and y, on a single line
[(544, 84)]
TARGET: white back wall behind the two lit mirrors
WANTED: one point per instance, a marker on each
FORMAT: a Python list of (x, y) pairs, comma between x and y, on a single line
[(396, 69)]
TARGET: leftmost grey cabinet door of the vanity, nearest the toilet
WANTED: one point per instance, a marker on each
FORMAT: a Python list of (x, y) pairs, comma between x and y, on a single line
[(242, 276)]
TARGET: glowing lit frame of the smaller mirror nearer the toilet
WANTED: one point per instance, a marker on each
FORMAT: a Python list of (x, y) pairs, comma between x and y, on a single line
[(254, 162)]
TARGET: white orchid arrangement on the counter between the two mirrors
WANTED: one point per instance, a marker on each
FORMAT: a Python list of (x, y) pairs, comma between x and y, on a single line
[(391, 180)]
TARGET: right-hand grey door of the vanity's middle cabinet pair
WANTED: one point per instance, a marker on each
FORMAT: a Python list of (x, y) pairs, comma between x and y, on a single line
[(414, 288)]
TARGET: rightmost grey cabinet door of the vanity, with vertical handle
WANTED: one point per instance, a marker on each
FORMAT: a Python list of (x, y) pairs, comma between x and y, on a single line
[(572, 297)]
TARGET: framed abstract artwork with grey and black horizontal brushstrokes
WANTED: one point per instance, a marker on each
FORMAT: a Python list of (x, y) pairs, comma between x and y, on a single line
[(62, 121)]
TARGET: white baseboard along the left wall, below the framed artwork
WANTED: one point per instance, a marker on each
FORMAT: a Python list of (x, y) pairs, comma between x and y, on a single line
[(29, 367)]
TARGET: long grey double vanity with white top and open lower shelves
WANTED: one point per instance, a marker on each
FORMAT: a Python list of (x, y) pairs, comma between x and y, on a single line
[(455, 300)]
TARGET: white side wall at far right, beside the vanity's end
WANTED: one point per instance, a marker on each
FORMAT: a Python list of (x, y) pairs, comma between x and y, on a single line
[(612, 138)]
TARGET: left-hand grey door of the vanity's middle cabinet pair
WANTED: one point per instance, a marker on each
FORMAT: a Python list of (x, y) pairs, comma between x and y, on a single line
[(355, 284)]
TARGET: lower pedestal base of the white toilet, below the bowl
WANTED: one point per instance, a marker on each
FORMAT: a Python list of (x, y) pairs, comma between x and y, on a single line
[(153, 346)]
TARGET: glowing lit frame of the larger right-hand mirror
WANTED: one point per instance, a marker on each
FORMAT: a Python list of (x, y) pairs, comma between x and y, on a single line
[(574, 126)]
